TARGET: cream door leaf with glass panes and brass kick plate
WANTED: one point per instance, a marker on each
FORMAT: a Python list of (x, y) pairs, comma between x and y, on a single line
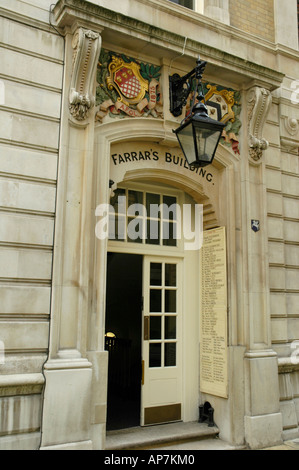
[(161, 345)]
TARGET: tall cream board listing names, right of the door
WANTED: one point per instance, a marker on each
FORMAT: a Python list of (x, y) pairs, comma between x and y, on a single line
[(213, 321)]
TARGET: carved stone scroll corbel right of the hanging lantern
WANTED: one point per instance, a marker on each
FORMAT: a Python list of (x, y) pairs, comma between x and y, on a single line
[(258, 104)]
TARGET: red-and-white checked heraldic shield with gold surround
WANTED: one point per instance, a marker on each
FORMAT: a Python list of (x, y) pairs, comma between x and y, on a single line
[(127, 81)]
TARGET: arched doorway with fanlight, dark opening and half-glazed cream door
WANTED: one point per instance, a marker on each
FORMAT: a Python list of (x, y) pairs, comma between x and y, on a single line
[(151, 327)]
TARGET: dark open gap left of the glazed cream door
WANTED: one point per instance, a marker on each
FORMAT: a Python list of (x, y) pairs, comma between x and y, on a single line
[(123, 339)]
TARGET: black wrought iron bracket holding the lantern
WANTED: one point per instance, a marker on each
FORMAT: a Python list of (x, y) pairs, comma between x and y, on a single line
[(180, 87)]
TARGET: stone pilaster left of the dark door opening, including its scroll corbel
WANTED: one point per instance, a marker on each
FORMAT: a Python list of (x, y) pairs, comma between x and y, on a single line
[(68, 372)]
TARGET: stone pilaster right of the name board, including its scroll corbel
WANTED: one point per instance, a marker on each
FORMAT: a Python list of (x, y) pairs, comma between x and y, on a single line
[(263, 423)]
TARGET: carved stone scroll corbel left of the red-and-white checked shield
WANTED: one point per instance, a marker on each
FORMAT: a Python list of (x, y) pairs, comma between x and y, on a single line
[(87, 46)]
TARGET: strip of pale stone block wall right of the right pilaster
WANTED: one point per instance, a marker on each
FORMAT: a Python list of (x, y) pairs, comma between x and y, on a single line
[(282, 173)]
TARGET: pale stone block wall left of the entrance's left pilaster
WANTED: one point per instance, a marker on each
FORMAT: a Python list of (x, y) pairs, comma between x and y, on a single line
[(31, 57)]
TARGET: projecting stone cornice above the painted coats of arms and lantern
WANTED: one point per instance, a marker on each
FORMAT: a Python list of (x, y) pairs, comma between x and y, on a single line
[(69, 14)]
